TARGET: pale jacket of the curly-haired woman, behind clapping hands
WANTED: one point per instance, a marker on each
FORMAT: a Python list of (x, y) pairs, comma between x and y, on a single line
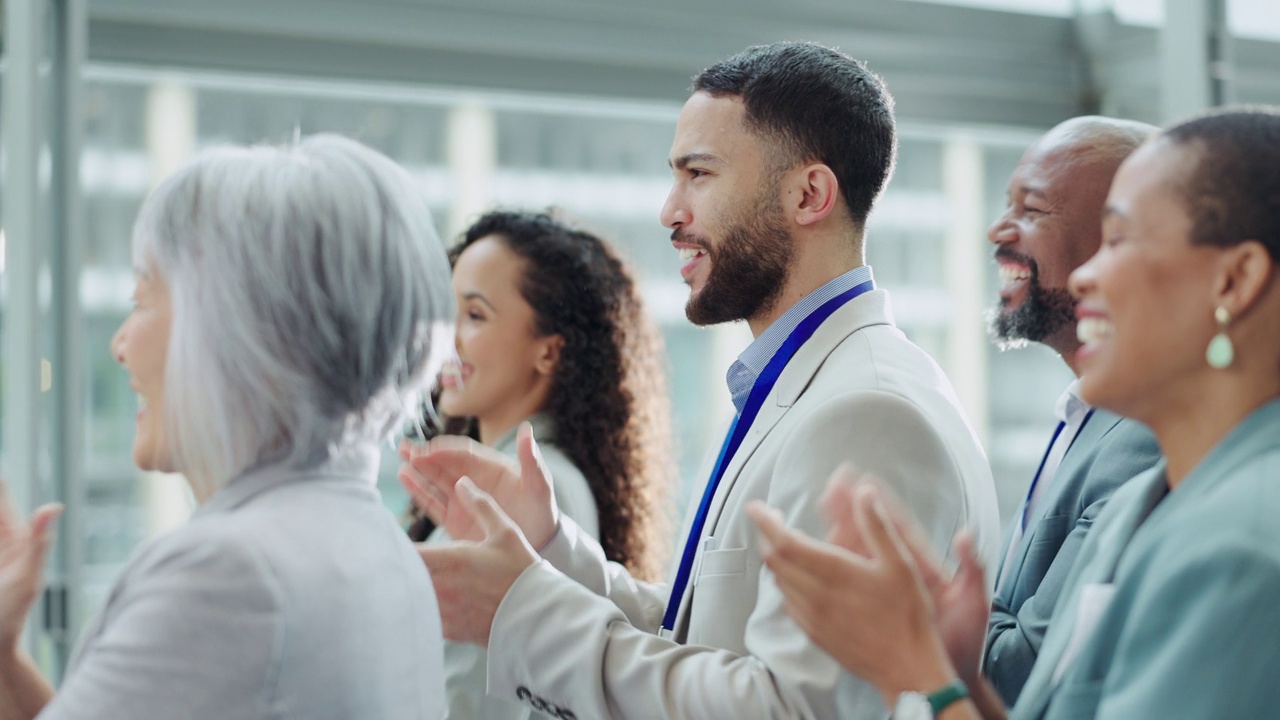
[(465, 666)]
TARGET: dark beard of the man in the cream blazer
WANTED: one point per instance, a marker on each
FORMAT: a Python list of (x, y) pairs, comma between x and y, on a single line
[(749, 268)]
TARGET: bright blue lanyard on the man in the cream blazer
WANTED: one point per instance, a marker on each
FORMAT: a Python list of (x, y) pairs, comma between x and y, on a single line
[(738, 432)]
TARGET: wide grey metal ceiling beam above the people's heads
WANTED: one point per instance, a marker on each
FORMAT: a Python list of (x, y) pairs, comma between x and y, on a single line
[(943, 63)]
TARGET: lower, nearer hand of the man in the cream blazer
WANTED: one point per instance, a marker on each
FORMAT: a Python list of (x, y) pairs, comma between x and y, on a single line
[(472, 578)]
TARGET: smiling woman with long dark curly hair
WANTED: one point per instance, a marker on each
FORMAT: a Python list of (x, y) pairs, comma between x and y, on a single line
[(551, 330)]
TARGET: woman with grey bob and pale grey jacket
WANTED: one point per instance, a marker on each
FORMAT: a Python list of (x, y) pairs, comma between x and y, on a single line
[(284, 321)]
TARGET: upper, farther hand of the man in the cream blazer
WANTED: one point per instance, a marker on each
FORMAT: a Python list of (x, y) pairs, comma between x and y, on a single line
[(523, 491)]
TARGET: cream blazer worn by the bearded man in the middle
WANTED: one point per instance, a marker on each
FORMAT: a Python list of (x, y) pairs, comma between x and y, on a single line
[(578, 635)]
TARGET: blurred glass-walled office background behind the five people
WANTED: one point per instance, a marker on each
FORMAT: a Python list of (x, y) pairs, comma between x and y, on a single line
[(529, 104)]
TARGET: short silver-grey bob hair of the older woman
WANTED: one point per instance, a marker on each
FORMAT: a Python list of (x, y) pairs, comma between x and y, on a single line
[(310, 299)]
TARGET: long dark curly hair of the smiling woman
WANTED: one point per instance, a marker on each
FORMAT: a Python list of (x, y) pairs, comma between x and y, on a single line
[(609, 395)]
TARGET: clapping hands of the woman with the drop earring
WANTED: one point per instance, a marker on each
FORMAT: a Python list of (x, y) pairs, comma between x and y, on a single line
[(875, 596)]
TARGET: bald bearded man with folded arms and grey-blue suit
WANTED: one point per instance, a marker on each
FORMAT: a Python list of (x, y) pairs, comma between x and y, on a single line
[(1053, 225)]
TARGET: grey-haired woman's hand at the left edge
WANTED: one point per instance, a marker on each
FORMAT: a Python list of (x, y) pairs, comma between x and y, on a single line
[(24, 548)]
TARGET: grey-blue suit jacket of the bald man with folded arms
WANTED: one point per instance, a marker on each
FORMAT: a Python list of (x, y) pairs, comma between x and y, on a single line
[(1105, 454)]
